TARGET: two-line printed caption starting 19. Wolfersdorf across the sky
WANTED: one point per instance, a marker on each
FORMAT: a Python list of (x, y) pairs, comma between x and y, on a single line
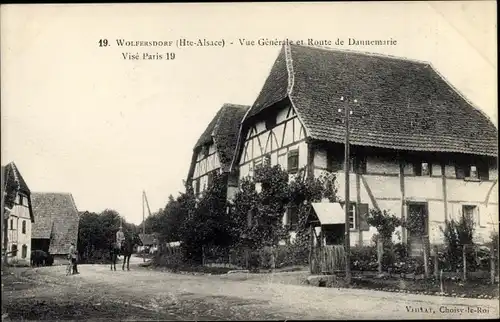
[(221, 43)]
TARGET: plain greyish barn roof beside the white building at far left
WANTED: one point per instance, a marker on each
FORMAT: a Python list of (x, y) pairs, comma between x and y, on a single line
[(57, 219)]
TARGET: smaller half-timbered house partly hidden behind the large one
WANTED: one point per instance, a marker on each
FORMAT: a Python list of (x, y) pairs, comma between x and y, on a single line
[(213, 152)]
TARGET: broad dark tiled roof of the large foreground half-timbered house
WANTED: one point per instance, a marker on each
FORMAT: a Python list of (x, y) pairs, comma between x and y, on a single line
[(401, 104)]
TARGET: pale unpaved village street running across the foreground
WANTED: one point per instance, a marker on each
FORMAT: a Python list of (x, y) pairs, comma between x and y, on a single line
[(149, 294)]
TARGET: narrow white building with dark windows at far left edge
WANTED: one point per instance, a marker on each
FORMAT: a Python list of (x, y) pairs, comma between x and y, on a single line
[(18, 215)]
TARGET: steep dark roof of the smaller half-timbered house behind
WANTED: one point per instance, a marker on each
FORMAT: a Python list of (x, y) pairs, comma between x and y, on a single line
[(223, 132)]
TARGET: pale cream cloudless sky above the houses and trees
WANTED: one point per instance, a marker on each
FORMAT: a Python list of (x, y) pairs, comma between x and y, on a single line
[(78, 118)]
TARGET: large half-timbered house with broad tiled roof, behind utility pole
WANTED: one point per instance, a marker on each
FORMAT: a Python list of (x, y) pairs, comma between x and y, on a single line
[(418, 147)]
